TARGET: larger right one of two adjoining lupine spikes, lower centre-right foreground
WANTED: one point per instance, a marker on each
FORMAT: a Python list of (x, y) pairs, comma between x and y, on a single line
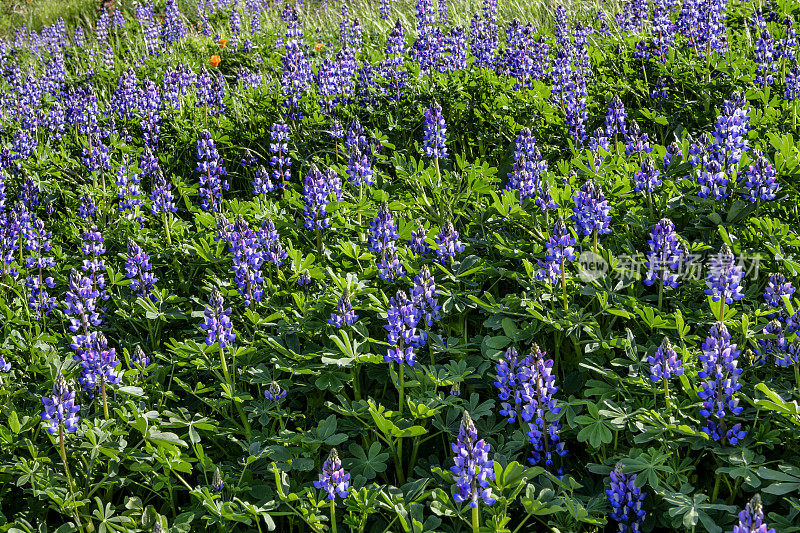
[(535, 376)]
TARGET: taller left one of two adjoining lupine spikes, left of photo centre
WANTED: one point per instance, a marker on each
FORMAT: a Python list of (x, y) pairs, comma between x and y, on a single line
[(248, 259)]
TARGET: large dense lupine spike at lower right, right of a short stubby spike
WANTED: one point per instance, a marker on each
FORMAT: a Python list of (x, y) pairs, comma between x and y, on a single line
[(720, 370)]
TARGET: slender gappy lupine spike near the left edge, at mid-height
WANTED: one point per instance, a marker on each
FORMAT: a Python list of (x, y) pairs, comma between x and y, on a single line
[(39, 244)]
